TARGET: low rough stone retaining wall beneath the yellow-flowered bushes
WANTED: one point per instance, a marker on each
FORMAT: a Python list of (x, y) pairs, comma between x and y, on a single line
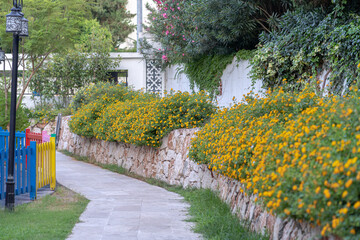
[(171, 164)]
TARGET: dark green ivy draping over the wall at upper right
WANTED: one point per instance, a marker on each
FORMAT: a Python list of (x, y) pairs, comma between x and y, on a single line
[(321, 44)]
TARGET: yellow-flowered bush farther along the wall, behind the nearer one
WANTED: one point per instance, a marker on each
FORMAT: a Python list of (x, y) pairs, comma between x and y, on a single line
[(143, 119)]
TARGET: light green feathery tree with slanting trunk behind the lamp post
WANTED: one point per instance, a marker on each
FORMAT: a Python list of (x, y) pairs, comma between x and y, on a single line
[(54, 26)]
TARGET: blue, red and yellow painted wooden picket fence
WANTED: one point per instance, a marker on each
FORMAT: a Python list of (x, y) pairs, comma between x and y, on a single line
[(41, 169)]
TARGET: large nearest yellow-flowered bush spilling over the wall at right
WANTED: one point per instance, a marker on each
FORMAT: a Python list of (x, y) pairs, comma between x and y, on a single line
[(297, 151)]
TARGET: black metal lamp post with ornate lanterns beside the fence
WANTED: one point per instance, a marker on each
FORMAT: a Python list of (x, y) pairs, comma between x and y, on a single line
[(18, 26)]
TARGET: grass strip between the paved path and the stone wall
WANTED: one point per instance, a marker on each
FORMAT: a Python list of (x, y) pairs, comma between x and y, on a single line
[(212, 217)]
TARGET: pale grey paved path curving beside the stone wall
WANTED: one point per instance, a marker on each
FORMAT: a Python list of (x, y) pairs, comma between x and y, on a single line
[(122, 207)]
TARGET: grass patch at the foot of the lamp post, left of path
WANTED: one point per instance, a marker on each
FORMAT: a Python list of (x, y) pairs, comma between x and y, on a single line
[(51, 217)]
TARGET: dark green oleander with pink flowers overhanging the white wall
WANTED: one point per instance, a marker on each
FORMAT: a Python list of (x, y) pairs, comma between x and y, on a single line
[(190, 29)]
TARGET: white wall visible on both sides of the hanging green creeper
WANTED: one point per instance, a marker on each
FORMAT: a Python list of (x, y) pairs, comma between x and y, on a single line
[(235, 82)]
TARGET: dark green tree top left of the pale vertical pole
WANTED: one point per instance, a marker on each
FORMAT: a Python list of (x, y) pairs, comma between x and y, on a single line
[(113, 14)]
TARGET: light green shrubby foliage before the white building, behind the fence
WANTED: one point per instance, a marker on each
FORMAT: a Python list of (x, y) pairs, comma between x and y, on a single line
[(66, 72)]
